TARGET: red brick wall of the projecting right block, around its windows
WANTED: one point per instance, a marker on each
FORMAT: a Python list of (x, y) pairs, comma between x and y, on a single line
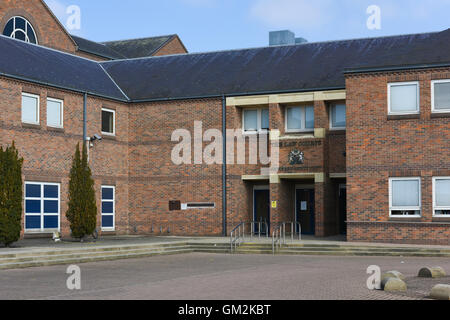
[(379, 147)]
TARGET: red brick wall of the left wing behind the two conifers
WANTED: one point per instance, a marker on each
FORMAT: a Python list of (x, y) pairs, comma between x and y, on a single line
[(48, 152)]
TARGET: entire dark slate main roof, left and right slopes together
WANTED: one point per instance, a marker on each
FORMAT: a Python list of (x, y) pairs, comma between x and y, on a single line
[(302, 67)]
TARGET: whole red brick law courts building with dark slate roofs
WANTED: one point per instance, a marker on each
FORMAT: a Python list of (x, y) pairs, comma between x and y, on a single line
[(362, 128)]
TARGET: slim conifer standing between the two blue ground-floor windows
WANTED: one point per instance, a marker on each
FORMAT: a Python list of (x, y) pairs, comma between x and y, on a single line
[(82, 207)]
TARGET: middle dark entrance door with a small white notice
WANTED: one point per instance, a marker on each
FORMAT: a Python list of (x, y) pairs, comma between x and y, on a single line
[(305, 210)]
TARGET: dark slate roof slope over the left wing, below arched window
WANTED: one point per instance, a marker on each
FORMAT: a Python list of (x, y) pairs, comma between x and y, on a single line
[(21, 60)]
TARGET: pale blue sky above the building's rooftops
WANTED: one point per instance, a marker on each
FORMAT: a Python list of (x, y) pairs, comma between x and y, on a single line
[(208, 25)]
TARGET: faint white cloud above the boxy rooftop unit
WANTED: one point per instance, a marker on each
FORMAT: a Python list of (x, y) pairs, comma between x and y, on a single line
[(295, 14)]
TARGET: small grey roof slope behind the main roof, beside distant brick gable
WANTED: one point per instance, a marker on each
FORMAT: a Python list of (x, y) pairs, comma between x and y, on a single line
[(137, 48)]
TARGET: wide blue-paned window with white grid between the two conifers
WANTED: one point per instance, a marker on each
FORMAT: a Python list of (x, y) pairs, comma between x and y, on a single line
[(42, 207)]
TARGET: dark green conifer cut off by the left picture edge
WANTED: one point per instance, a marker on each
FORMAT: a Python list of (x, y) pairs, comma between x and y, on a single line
[(11, 195)]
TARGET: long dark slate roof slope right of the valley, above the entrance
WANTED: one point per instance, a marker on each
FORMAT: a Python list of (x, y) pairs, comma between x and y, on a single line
[(301, 67)]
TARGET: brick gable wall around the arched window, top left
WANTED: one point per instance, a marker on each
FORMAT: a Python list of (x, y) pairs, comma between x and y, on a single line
[(49, 31)]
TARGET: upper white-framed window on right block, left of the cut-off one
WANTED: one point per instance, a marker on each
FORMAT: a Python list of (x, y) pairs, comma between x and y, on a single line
[(403, 98)]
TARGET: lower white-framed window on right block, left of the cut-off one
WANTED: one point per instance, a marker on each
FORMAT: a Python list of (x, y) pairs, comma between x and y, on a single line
[(405, 197)]
